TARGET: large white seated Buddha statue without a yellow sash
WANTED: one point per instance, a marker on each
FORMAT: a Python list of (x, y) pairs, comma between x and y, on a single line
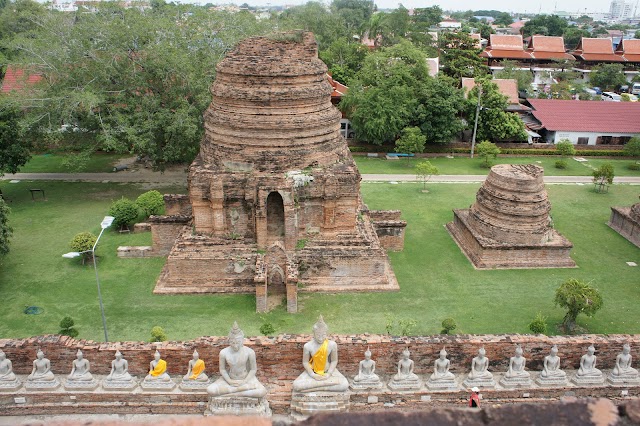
[(238, 381)]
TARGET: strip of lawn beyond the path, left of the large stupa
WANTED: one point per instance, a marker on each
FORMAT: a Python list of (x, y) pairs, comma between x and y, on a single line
[(55, 163)]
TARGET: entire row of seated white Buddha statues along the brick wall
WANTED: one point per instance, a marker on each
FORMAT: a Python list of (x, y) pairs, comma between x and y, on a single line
[(238, 390)]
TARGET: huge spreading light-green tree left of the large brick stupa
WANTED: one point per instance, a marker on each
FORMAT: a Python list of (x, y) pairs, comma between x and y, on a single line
[(129, 80)]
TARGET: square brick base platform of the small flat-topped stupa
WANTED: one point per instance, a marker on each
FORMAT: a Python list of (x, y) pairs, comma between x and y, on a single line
[(488, 254)]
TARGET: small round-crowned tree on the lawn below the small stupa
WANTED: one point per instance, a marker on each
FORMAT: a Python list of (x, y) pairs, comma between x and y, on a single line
[(578, 298)]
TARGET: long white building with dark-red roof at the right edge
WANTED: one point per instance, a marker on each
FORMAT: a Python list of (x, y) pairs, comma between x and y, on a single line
[(585, 122)]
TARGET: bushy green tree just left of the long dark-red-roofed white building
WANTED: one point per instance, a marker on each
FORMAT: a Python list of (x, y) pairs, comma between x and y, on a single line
[(494, 123)]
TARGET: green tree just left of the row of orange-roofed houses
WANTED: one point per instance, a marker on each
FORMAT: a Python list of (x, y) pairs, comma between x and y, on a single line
[(459, 56)]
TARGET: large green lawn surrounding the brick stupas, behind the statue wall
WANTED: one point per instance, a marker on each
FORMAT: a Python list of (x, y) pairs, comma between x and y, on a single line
[(436, 279)]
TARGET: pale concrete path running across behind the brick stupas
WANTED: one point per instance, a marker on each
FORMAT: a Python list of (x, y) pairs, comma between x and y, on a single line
[(180, 178)]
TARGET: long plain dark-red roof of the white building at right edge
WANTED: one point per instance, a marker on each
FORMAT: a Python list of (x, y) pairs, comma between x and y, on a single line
[(587, 116)]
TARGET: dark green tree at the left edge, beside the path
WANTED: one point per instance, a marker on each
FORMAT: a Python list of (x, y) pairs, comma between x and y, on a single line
[(14, 149)]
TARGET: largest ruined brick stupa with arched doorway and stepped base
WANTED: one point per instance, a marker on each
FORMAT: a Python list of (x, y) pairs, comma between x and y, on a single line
[(274, 203)]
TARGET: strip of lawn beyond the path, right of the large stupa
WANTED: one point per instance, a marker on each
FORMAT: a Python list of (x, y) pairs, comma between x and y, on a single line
[(469, 166)]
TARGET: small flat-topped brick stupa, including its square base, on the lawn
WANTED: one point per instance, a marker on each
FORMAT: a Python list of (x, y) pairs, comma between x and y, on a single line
[(509, 225)]
